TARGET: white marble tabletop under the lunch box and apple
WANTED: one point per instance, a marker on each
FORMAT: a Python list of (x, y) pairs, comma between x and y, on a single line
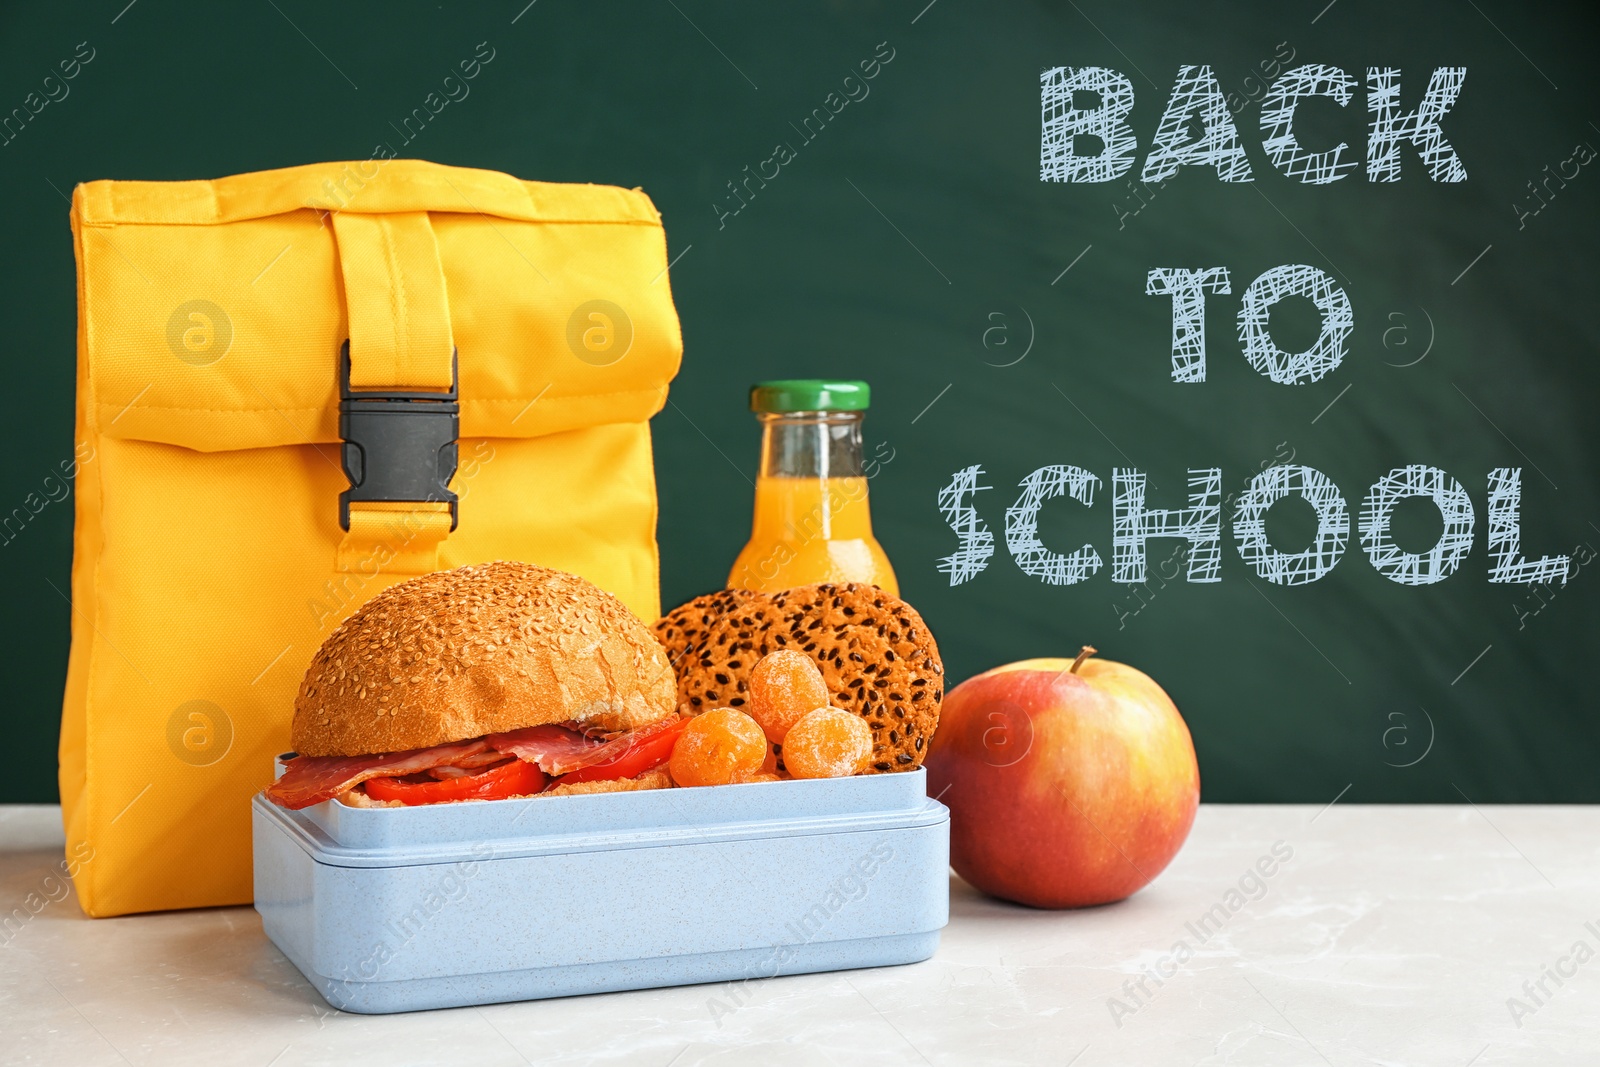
[(1394, 935)]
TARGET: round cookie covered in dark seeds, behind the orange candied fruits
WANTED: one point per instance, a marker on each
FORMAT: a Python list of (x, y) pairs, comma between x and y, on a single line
[(876, 653)]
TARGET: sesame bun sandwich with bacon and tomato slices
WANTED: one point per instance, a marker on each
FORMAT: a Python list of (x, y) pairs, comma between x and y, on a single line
[(482, 684)]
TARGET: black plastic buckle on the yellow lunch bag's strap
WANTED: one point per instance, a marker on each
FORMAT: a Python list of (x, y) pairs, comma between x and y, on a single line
[(399, 447)]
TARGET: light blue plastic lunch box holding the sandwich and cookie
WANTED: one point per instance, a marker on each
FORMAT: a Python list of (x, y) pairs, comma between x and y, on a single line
[(402, 909)]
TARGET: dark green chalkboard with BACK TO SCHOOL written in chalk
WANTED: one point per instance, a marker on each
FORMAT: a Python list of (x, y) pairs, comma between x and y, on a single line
[(1002, 321)]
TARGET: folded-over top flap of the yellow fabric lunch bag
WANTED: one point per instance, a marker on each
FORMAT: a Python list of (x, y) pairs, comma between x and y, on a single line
[(215, 311)]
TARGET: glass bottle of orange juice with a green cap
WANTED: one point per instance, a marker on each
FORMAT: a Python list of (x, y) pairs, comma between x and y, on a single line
[(812, 519)]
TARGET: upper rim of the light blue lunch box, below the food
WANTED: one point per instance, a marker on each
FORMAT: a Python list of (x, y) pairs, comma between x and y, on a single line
[(340, 836)]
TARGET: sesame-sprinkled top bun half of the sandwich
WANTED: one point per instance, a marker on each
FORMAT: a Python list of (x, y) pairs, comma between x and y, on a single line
[(479, 650)]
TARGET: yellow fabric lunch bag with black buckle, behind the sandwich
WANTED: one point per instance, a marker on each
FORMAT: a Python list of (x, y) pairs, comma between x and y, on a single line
[(295, 390)]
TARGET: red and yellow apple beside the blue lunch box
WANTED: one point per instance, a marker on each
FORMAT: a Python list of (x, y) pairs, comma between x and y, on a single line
[(1070, 781)]
